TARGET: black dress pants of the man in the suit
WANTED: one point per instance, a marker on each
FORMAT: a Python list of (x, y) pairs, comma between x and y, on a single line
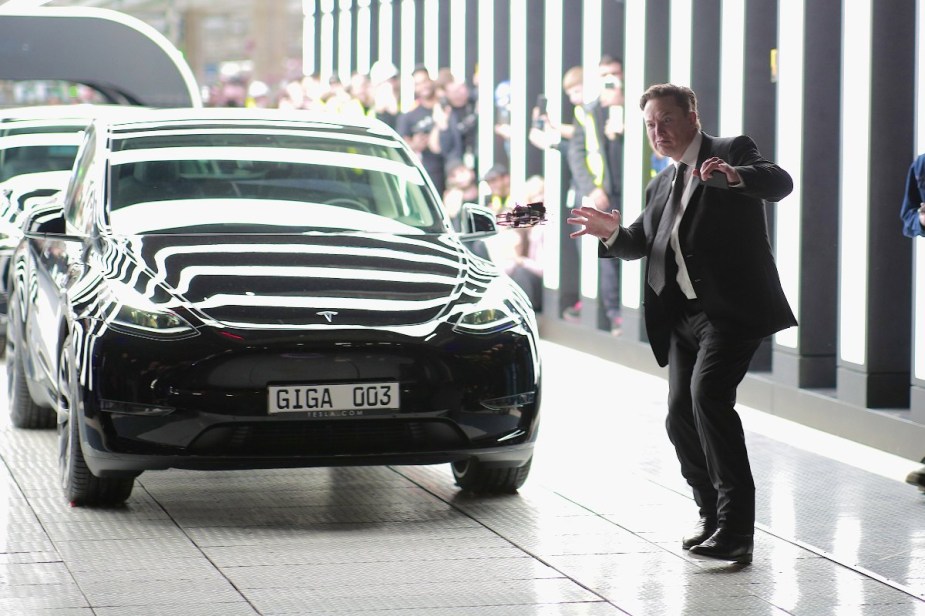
[(705, 367)]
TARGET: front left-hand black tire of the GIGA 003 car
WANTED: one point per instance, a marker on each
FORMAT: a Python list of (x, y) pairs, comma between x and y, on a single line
[(81, 487)]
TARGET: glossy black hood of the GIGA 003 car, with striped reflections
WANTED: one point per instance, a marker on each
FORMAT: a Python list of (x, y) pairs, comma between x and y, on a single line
[(285, 281)]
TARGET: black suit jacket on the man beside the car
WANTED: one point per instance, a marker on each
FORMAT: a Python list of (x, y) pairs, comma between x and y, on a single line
[(724, 239)]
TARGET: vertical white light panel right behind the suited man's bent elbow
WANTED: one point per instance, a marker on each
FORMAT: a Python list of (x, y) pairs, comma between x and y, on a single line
[(787, 226)]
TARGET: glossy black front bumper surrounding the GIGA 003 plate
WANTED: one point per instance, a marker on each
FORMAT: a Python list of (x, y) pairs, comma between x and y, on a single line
[(207, 406)]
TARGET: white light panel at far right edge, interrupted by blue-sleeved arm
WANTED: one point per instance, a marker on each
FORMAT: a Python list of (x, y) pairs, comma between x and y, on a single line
[(918, 311)]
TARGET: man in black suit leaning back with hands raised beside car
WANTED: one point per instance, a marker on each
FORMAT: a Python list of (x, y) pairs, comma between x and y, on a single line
[(712, 294)]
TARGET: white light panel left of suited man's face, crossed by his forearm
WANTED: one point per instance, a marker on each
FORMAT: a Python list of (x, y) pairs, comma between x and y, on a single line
[(634, 138)]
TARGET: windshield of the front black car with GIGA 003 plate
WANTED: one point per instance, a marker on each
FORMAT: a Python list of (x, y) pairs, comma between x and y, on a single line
[(266, 181)]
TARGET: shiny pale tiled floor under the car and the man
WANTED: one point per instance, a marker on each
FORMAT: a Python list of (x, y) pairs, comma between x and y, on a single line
[(594, 532)]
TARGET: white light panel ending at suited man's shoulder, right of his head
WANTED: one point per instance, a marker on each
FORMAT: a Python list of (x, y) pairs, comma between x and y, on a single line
[(732, 68)]
